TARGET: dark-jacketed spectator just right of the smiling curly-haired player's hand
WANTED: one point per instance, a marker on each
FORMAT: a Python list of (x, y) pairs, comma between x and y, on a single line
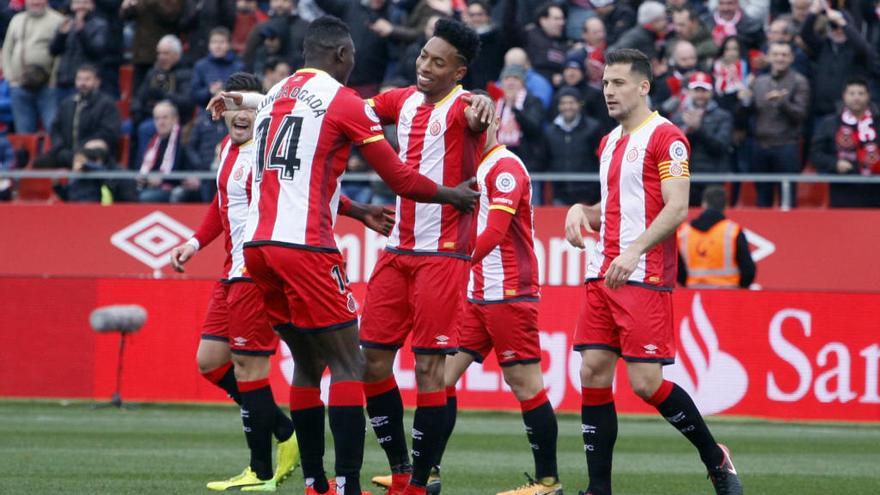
[(522, 117)]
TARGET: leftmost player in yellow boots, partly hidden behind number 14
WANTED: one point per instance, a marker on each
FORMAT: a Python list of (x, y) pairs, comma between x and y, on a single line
[(236, 326)]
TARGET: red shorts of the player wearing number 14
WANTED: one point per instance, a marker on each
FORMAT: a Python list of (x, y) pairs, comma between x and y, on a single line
[(303, 289)]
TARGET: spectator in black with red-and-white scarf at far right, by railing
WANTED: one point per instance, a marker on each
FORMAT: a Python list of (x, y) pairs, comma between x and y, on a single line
[(847, 143)]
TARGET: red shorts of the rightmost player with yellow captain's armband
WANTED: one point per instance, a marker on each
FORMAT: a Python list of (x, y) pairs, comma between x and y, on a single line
[(633, 321)]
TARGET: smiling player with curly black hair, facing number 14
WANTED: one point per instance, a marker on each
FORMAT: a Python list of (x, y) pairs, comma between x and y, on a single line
[(419, 282)]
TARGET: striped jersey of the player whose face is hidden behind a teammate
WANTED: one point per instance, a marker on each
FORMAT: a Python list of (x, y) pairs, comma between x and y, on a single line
[(510, 271)]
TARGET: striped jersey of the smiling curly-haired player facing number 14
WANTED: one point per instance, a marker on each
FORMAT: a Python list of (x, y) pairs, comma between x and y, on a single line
[(436, 140)]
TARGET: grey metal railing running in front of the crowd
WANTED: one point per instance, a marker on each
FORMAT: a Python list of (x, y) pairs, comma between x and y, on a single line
[(785, 180)]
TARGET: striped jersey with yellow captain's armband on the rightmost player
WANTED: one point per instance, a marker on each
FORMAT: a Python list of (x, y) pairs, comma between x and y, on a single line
[(631, 168)]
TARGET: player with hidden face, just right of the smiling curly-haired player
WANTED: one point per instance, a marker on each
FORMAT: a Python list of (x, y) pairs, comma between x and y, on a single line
[(502, 308)]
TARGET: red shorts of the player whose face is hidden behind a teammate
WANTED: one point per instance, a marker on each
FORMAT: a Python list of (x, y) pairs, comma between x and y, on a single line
[(511, 328)]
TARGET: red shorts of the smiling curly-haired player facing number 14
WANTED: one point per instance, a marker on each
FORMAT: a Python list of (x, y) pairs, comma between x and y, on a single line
[(424, 295)]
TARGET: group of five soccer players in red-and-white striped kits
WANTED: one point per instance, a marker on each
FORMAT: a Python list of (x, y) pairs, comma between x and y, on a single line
[(458, 276)]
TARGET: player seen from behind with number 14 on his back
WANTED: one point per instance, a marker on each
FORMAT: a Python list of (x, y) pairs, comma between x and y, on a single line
[(304, 130)]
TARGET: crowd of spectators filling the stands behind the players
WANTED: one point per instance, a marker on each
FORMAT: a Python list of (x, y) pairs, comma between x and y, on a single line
[(759, 86)]
